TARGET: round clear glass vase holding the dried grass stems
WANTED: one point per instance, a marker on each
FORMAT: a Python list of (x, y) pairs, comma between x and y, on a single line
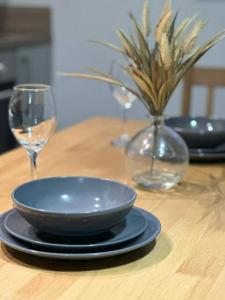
[(157, 157)]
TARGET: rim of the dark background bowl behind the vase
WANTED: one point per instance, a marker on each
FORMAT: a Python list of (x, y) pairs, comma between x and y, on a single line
[(200, 132)]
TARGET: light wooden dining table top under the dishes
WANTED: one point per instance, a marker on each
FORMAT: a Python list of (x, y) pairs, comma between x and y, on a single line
[(187, 260)]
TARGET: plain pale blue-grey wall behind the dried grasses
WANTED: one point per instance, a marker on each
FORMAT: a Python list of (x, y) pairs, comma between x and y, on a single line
[(75, 21)]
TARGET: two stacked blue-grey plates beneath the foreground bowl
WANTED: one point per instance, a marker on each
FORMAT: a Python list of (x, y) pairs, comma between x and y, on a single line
[(138, 229)]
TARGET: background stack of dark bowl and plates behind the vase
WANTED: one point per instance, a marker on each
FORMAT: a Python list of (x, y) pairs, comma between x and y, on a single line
[(205, 137)]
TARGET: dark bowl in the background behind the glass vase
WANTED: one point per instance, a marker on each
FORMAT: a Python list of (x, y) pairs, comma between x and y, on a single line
[(199, 132)]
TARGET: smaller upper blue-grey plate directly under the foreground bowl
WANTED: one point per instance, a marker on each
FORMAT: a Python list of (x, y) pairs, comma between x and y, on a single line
[(134, 225)]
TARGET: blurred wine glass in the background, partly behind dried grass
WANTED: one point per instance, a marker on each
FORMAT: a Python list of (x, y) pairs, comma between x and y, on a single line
[(124, 97)]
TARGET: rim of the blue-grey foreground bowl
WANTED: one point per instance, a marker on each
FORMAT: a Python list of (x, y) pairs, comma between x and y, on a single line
[(91, 213)]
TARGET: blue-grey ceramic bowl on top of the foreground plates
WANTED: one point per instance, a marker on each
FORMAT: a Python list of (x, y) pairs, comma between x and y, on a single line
[(73, 205)]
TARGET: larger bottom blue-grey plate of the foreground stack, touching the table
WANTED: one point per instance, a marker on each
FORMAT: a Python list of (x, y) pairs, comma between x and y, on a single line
[(151, 232)]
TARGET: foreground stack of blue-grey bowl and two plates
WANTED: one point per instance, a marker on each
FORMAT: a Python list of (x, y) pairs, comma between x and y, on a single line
[(76, 218)]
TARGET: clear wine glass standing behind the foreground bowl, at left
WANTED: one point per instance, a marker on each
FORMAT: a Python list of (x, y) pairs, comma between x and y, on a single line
[(32, 118)]
